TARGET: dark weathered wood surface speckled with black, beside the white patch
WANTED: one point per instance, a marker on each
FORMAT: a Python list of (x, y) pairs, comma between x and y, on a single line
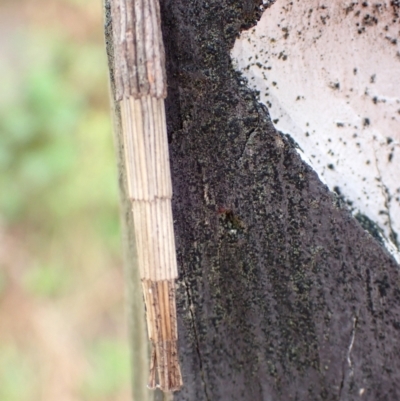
[(282, 295)]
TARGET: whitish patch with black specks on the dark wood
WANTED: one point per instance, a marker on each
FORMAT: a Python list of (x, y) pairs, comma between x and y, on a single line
[(329, 73)]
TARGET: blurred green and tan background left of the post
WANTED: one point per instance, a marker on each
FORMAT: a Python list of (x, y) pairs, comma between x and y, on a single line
[(62, 324)]
